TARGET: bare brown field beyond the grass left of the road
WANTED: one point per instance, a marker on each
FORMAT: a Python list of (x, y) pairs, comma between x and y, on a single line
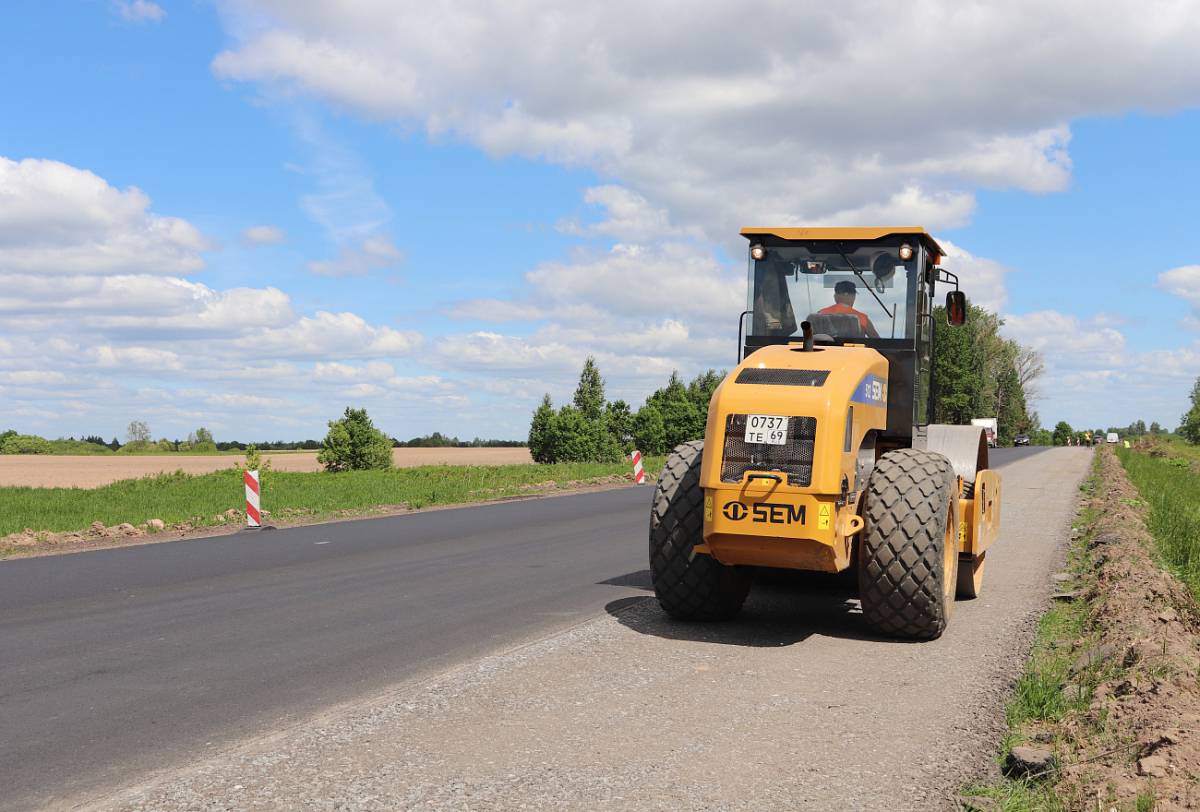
[(50, 472)]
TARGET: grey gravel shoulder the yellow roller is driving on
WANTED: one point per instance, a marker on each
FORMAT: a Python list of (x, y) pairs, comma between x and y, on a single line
[(790, 707)]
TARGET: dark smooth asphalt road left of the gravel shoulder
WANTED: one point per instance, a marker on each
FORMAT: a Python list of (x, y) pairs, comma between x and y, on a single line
[(116, 664)]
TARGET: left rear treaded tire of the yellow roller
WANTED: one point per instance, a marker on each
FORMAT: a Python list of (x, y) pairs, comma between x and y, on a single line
[(689, 586)]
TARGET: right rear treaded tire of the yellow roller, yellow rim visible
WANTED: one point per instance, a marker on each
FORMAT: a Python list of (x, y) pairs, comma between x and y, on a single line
[(907, 580)]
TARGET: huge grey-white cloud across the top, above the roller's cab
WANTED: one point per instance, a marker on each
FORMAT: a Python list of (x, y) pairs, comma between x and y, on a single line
[(853, 111)]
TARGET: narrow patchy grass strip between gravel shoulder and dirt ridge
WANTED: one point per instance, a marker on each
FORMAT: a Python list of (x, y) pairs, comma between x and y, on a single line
[(1045, 694)]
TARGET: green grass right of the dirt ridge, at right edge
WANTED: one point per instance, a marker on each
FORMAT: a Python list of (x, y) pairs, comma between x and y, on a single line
[(1171, 486)]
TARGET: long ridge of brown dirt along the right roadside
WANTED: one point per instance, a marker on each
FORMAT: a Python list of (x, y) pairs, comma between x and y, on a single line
[(1141, 737)]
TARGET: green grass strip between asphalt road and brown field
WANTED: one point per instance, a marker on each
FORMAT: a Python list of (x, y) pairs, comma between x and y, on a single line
[(199, 501)]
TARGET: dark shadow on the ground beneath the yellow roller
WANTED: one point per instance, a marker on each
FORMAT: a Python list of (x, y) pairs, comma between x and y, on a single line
[(784, 609)]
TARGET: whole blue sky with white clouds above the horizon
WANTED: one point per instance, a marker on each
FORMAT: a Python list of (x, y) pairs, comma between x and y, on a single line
[(248, 215)]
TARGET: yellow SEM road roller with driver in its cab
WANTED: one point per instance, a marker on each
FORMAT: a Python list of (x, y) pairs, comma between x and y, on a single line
[(819, 454)]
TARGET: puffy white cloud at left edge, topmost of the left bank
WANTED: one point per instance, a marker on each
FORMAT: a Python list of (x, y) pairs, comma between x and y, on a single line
[(59, 220)]
